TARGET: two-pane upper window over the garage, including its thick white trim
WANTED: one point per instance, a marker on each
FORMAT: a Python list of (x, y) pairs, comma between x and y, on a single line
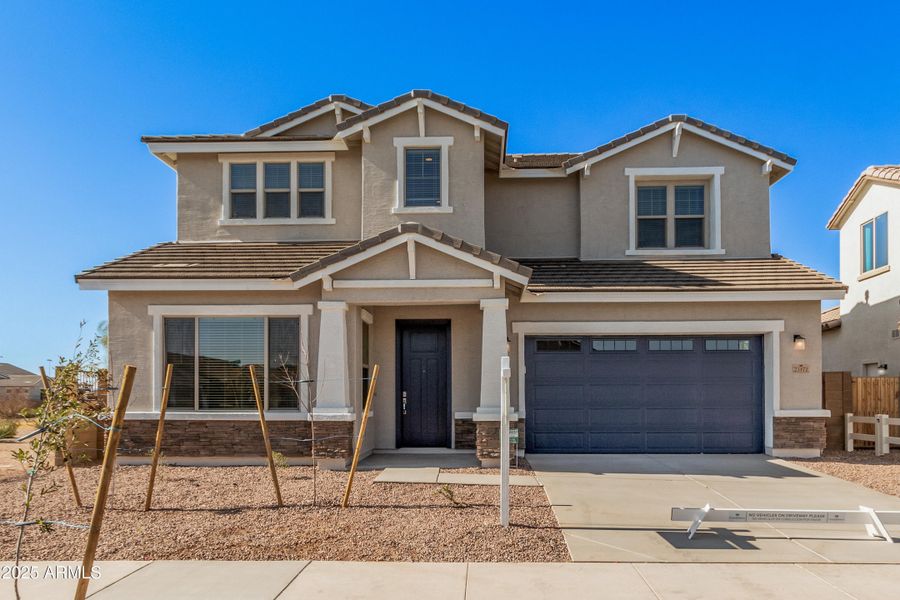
[(674, 210)]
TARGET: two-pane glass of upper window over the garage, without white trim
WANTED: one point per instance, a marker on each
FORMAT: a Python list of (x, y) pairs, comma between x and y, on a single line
[(671, 216)]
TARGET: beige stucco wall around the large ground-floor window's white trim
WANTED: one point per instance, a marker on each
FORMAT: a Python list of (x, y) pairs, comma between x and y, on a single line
[(131, 329)]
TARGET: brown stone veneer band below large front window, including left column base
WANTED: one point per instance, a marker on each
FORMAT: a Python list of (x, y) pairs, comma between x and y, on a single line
[(218, 442)]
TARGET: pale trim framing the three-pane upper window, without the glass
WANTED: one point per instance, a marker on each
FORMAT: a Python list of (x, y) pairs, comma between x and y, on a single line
[(259, 160)]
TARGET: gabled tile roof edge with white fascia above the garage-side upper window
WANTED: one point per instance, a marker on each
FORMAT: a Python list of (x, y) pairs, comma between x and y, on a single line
[(693, 125)]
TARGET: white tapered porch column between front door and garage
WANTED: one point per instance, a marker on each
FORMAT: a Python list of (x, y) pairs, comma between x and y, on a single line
[(493, 346)]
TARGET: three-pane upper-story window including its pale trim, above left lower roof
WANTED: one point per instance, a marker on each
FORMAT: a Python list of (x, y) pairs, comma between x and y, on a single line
[(277, 189)]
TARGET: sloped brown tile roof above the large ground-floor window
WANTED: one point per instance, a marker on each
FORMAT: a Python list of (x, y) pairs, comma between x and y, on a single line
[(215, 260)]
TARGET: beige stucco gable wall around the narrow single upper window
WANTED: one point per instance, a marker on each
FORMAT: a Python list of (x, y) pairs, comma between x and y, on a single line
[(466, 167)]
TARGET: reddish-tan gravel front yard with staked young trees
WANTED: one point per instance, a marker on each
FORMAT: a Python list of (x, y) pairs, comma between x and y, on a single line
[(229, 513)]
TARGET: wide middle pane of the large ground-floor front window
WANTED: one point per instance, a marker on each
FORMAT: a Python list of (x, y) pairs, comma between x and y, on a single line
[(227, 347)]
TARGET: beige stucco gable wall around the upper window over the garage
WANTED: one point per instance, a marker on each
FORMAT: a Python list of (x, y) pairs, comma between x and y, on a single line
[(745, 196)]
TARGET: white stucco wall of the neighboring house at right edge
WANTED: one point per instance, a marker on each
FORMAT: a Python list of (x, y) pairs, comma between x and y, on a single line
[(871, 308)]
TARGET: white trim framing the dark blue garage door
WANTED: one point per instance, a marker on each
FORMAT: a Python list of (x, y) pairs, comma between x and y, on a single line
[(770, 330)]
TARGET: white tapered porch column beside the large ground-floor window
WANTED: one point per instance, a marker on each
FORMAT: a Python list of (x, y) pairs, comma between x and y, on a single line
[(333, 373)]
